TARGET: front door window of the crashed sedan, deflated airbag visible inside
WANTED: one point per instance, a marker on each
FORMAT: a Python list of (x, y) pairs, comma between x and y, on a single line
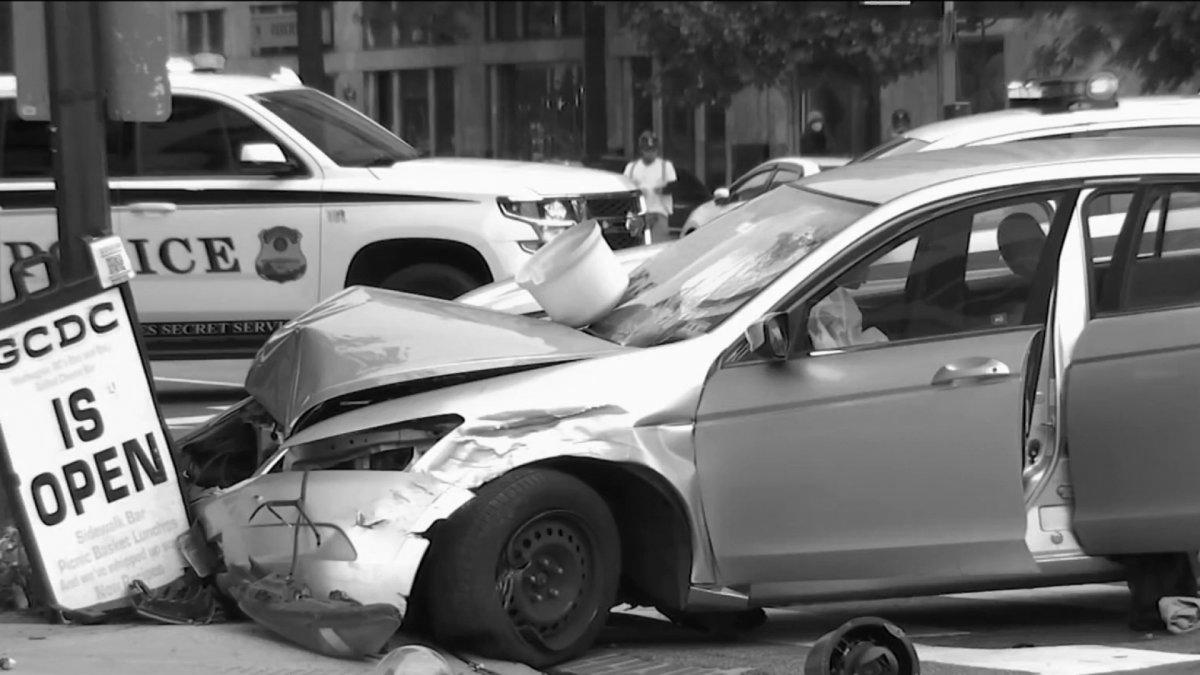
[(975, 270)]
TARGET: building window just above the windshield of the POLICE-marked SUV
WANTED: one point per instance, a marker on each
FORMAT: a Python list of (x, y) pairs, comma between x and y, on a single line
[(418, 106)]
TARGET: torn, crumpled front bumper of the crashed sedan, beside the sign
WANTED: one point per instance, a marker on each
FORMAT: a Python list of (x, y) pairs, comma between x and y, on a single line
[(340, 534)]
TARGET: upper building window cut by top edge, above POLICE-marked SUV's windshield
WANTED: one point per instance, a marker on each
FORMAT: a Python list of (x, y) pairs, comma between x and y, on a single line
[(404, 23)]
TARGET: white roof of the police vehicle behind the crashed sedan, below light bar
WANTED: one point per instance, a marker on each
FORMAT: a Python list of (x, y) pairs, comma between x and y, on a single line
[(1016, 121)]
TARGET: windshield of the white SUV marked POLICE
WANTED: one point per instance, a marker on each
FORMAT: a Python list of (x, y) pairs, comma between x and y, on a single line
[(343, 134)]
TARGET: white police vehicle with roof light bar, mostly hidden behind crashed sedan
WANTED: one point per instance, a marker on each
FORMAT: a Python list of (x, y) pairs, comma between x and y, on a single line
[(1052, 110)]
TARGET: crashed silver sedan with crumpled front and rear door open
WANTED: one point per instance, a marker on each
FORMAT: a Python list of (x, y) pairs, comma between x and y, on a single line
[(949, 372)]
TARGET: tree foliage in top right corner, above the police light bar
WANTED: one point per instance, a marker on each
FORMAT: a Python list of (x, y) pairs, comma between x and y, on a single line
[(1161, 41)]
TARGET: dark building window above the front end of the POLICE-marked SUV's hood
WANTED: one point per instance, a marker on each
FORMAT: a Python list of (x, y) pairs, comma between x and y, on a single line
[(539, 112)]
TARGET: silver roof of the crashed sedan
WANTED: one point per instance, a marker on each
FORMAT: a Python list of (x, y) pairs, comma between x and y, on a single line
[(886, 180)]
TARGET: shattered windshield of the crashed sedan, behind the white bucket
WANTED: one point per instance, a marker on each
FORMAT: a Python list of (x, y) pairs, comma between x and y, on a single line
[(698, 283)]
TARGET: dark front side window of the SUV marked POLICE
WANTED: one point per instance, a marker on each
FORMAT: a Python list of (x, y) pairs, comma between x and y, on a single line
[(201, 138)]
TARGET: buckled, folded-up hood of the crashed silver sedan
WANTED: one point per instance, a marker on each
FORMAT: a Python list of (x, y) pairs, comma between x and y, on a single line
[(367, 338)]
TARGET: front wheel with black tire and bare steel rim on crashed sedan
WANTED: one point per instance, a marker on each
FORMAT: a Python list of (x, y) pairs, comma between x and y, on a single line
[(527, 571)]
